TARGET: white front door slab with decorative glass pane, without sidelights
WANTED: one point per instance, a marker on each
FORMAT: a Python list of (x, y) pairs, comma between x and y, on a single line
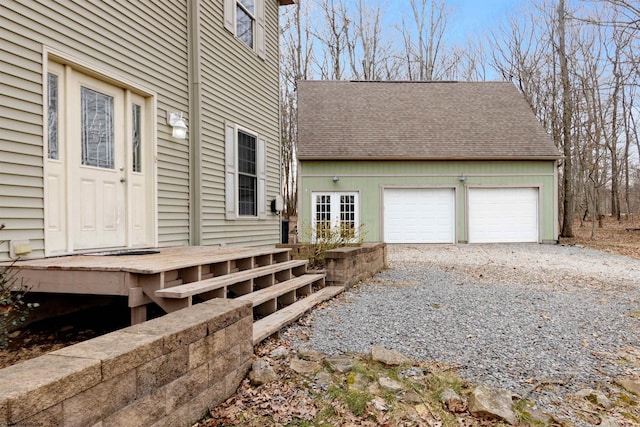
[(98, 164)]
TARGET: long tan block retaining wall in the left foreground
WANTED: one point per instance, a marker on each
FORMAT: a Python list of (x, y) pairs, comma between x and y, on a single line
[(165, 372)]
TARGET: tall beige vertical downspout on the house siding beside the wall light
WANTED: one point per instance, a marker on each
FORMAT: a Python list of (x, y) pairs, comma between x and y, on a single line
[(195, 119)]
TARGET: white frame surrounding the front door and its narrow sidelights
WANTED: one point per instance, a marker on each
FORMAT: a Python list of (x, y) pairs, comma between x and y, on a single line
[(131, 91)]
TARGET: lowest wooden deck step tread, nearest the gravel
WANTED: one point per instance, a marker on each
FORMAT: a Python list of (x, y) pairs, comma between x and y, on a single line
[(271, 324)]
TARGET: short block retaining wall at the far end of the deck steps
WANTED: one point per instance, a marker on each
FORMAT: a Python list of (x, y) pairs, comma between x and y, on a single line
[(349, 265)]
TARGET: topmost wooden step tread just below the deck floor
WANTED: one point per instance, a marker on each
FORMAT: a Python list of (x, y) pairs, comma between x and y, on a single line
[(202, 286)]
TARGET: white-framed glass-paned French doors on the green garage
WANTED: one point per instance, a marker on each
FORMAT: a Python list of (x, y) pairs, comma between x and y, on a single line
[(335, 215)]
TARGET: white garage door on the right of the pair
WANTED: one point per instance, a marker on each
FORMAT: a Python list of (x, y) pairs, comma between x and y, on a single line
[(503, 215)]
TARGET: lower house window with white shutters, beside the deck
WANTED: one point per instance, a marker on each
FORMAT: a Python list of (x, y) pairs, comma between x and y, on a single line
[(245, 173)]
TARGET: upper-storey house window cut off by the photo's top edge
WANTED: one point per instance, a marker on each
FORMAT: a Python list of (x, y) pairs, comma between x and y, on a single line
[(246, 20)]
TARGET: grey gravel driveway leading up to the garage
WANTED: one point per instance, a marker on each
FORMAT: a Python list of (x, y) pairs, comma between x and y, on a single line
[(508, 315)]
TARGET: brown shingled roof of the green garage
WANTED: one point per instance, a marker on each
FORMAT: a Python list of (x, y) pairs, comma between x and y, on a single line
[(418, 121)]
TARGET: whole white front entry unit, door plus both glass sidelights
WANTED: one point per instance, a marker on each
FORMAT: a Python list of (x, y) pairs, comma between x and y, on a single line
[(99, 187)]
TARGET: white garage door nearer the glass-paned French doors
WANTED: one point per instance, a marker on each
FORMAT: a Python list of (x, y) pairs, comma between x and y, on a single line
[(419, 215)]
